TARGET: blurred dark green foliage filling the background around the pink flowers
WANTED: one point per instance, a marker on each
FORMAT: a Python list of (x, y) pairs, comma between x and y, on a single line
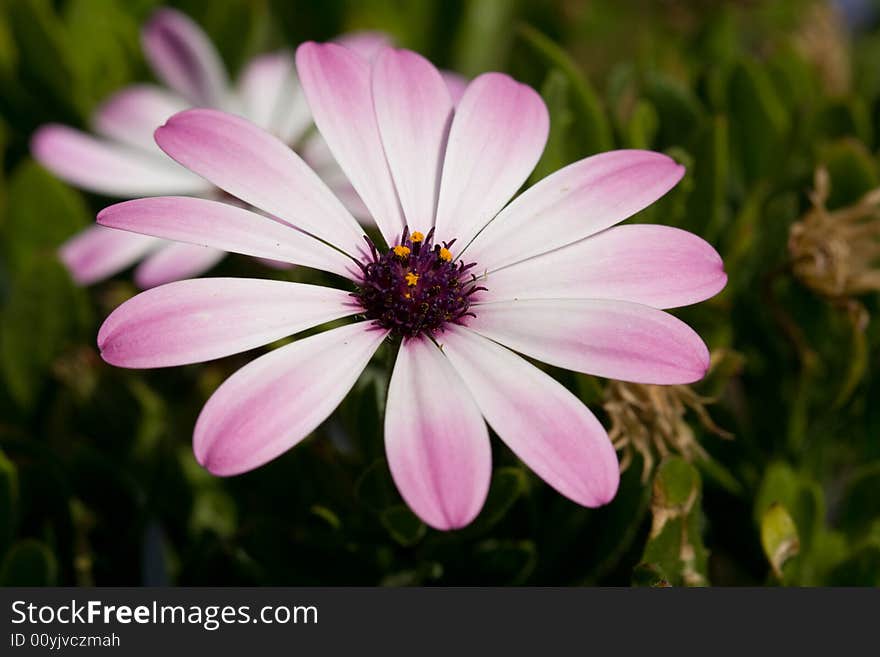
[(97, 479)]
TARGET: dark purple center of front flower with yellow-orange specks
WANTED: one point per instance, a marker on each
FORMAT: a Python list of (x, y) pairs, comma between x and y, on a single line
[(416, 287)]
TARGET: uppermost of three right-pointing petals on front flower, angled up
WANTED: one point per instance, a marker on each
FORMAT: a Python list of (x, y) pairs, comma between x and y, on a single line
[(575, 202)]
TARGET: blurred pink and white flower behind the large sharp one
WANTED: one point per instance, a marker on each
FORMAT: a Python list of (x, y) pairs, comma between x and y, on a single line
[(123, 160)]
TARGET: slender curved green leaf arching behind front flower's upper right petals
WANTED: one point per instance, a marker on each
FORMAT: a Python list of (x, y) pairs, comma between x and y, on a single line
[(592, 130)]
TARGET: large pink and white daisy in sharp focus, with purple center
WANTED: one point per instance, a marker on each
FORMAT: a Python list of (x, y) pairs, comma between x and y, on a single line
[(469, 280)]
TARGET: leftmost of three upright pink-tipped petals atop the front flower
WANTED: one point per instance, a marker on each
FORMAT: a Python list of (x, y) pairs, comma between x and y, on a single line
[(336, 82)]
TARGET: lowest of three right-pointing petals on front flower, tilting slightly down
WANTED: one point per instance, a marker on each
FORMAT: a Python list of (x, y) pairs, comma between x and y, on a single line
[(613, 339)]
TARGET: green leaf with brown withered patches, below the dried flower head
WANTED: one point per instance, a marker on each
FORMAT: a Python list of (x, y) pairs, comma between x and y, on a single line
[(675, 548)]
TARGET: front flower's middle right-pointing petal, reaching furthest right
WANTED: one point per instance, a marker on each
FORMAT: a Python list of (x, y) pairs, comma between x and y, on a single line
[(658, 266)]
